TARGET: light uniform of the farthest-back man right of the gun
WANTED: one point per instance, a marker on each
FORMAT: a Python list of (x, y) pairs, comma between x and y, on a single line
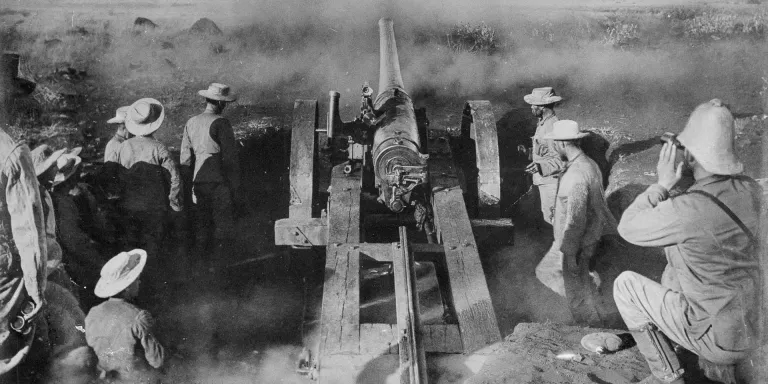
[(550, 163)]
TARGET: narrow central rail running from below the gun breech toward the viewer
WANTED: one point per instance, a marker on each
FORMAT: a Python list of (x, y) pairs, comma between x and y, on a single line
[(413, 365)]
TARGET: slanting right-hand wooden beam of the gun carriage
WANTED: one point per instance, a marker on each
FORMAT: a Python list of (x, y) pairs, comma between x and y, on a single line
[(471, 299)]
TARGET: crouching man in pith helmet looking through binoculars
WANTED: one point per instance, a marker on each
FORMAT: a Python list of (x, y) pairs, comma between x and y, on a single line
[(707, 299)]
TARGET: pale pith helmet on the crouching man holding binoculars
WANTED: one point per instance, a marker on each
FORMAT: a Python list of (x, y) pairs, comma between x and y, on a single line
[(708, 135)]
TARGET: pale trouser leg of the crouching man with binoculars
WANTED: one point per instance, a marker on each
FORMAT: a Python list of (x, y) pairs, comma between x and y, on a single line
[(641, 301)]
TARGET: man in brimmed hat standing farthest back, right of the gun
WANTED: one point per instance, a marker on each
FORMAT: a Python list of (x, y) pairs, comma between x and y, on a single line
[(546, 164)]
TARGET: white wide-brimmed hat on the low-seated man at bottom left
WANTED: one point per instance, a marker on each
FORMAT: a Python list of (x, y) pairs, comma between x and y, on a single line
[(120, 272)]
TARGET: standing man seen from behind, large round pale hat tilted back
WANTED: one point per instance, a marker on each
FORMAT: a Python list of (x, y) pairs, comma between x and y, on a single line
[(151, 180)]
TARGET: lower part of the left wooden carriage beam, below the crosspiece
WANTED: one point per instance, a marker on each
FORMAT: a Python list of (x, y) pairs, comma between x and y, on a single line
[(340, 317)]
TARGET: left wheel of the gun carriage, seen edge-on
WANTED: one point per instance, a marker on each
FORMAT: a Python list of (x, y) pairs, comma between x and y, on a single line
[(303, 143)]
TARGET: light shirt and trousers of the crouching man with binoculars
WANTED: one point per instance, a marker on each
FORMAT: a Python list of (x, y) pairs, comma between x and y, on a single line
[(707, 299)]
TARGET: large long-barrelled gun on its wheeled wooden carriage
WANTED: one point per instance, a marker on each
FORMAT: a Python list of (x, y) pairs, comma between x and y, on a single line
[(400, 193)]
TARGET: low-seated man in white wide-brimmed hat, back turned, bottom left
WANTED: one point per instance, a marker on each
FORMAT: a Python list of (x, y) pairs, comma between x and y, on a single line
[(119, 332)]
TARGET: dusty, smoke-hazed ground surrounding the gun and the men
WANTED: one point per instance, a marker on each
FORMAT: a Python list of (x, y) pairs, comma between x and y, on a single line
[(630, 84)]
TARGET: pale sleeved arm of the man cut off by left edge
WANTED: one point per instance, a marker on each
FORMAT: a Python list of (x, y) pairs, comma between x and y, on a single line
[(26, 214)]
